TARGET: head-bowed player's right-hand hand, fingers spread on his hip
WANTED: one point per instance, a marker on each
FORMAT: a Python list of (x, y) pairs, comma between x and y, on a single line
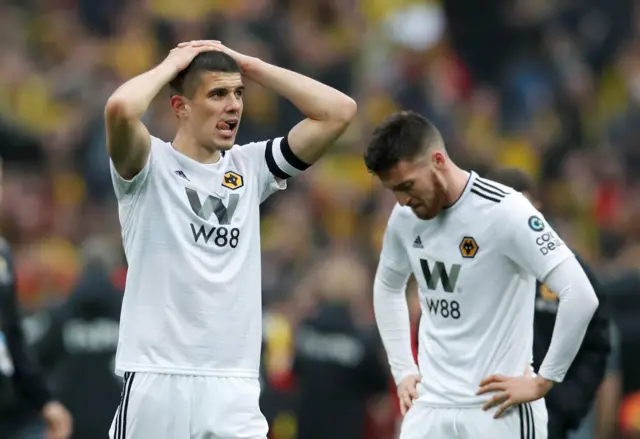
[(510, 391)]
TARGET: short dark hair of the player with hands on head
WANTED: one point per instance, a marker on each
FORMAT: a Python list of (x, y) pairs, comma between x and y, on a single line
[(186, 82)]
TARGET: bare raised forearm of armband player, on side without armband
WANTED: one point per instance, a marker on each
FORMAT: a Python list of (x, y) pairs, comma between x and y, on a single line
[(132, 99)]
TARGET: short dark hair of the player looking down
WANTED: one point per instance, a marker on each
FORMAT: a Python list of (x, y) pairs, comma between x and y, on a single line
[(401, 136)]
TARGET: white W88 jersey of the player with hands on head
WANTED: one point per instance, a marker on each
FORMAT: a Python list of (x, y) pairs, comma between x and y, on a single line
[(191, 234)]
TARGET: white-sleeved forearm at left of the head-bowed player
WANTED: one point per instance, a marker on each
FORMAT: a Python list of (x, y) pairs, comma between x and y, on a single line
[(392, 318)]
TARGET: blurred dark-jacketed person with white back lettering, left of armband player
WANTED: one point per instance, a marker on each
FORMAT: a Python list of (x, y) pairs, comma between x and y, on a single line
[(80, 340)]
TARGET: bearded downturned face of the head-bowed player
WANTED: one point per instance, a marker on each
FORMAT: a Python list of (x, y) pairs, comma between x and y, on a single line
[(418, 184)]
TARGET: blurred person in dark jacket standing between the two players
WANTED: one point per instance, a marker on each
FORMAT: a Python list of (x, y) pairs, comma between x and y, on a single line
[(338, 365)]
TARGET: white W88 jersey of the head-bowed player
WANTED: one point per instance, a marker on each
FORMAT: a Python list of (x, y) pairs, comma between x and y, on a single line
[(476, 266)]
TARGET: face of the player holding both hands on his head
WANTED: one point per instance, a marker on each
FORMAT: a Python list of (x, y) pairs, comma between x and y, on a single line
[(213, 113)]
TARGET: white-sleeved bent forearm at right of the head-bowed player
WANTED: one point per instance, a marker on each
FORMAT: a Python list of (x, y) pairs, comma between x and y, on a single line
[(578, 303)]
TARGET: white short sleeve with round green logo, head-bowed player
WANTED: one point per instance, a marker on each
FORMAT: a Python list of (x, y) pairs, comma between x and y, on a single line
[(528, 239)]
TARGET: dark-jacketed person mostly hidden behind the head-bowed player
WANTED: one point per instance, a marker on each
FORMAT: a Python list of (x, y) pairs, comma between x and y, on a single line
[(570, 401)]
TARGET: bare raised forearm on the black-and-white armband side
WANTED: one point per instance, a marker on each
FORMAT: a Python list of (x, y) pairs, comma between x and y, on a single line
[(315, 100)]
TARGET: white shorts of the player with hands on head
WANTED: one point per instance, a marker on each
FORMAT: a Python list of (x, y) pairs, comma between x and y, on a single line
[(162, 406)]
